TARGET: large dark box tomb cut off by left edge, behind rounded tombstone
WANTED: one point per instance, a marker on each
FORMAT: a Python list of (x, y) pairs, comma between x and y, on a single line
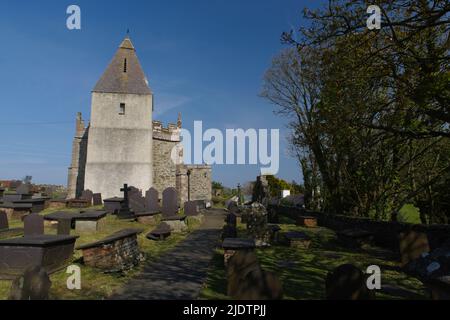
[(52, 252)]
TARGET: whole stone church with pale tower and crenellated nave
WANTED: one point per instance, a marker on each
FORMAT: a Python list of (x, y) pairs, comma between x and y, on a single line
[(123, 144)]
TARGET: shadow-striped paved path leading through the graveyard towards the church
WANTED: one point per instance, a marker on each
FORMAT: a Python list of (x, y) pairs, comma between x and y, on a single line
[(178, 274)]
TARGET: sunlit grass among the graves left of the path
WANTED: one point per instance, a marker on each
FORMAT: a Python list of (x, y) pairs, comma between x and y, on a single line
[(94, 283)]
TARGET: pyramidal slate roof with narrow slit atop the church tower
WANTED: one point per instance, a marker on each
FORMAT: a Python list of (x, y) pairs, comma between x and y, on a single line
[(124, 73)]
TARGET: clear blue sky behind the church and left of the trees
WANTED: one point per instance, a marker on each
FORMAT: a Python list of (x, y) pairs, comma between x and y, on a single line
[(205, 59)]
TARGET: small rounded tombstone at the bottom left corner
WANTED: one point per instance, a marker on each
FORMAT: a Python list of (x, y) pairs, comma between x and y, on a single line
[(34, 284)]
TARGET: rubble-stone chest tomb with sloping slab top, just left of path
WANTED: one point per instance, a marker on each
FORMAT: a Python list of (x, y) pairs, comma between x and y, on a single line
[(116, 252)]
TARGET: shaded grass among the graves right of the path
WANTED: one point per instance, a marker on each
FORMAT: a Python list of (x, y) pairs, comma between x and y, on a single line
[(303, 271)]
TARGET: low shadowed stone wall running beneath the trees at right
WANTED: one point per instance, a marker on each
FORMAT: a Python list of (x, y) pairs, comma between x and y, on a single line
[(385, 233)]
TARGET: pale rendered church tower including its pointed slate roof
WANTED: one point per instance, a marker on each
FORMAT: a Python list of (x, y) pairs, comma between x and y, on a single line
[(119, 148)]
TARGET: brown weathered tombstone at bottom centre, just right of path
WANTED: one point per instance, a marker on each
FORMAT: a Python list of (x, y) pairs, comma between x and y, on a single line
[(248, 281)]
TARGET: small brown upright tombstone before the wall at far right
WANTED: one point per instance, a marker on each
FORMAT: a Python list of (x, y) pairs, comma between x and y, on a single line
[(412, 245)]
